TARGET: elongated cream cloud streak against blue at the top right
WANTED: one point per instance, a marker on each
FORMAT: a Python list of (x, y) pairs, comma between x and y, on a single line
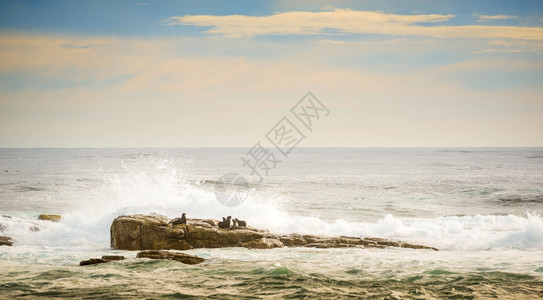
[(349, 21)]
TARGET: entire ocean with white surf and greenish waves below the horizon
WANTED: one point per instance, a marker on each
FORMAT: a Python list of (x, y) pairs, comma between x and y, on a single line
[(481, 207)]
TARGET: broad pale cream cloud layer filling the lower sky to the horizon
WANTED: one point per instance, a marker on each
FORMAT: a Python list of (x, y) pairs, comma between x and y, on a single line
[(177, 99)]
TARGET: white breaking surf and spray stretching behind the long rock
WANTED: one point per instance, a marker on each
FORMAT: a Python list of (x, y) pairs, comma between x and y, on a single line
[(89, 225)]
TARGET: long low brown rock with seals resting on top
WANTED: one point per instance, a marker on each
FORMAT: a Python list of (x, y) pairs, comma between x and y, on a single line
[(155, 232)]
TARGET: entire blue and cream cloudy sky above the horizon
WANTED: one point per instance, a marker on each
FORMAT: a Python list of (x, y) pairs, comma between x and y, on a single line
[(224, 73)]
